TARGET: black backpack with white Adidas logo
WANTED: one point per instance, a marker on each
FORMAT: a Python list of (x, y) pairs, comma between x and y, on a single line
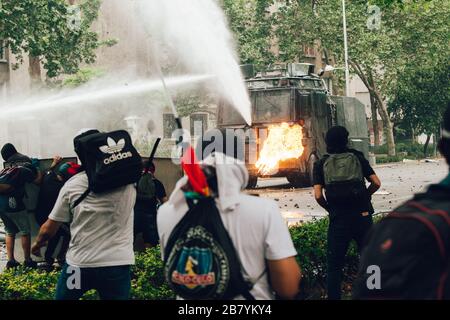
[(110, 161)]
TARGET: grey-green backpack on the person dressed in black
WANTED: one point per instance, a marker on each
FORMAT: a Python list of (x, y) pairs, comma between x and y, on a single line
[(344, 180)]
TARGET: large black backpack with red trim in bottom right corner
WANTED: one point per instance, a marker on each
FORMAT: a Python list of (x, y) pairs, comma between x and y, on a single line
[(411, 248)]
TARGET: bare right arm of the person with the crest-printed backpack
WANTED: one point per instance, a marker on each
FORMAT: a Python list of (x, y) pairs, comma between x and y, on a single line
[(285, 277)]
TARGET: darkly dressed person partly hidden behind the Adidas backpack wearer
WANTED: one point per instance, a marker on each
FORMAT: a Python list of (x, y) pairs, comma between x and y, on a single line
[(52, 182)]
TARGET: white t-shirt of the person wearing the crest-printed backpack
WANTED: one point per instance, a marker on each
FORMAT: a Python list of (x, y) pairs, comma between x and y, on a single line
[(258, 233)]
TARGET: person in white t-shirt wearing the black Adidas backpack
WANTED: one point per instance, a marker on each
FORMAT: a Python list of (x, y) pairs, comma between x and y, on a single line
[(98, 203)]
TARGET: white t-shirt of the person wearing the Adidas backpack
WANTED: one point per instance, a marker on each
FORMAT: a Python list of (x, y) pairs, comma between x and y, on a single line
[(101, 225)]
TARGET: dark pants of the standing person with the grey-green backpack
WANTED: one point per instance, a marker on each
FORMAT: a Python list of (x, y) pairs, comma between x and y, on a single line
[(341, 231)]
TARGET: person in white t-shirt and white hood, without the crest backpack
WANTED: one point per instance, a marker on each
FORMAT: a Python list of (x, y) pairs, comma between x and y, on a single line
[(260, 237)]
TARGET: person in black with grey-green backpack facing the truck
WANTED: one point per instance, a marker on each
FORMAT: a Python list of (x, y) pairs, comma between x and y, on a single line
[(340, 176)]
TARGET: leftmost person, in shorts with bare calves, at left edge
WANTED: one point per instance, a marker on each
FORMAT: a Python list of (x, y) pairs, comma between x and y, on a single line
[(21, 170)]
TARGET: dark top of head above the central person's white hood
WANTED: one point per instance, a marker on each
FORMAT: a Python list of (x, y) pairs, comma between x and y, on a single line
[(226, 141)]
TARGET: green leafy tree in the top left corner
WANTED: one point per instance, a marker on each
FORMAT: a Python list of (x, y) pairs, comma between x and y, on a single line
[(52, 33)]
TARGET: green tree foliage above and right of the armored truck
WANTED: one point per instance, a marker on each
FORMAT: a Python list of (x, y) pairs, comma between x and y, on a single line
[(387, 38)]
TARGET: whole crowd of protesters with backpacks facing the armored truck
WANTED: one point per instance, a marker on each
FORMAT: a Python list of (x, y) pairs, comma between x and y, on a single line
[(200, 223)]
